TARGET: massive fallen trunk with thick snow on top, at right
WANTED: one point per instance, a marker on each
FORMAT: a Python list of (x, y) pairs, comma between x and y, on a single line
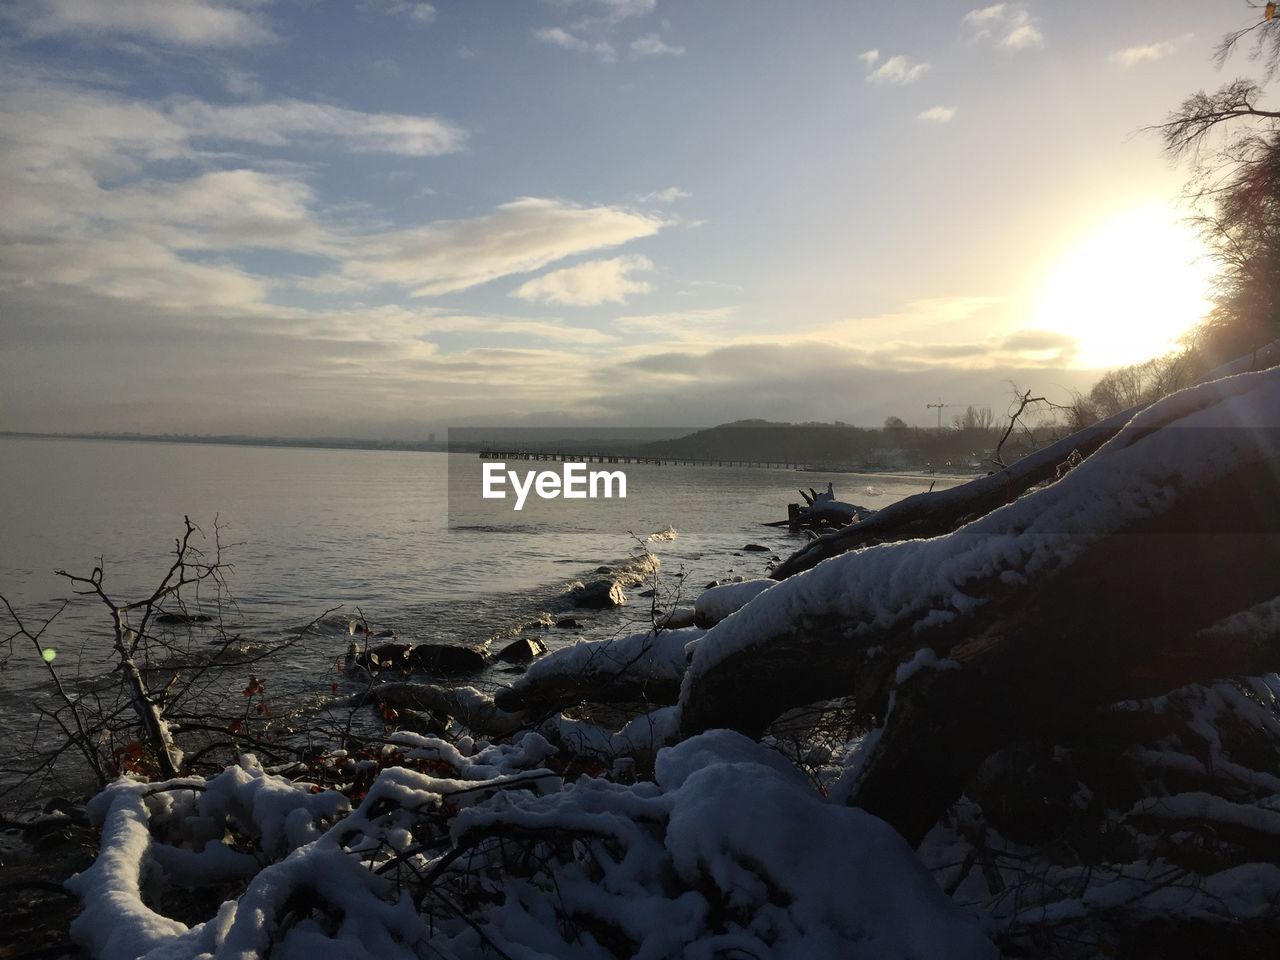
[(1091, 591)]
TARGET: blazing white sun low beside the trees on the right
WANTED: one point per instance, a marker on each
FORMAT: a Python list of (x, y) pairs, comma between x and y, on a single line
[(1130, 289)]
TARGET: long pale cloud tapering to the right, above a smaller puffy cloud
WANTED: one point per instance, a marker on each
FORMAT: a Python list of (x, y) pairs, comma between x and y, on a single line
[(519, 237)]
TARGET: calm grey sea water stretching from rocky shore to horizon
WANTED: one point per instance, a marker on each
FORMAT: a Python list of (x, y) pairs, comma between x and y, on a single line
[(313, 529)]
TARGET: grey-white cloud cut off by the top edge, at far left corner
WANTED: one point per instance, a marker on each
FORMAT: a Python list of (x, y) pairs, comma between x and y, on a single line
[(194, 24)]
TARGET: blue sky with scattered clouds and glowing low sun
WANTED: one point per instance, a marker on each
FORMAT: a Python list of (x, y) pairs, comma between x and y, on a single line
[(381, 218)]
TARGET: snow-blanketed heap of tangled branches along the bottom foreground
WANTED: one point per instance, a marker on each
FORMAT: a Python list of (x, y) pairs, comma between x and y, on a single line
[(484, 854)]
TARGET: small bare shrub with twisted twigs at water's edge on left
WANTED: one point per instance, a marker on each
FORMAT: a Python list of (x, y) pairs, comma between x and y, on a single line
[(172, 705)]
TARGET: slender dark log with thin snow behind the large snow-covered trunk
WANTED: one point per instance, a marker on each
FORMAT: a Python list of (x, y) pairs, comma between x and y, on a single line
[(940, 513)]
